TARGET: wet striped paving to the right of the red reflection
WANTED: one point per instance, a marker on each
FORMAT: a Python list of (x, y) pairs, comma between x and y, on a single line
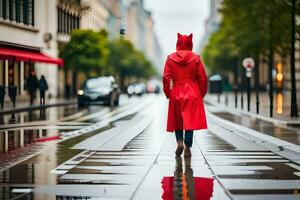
[(250, 174)]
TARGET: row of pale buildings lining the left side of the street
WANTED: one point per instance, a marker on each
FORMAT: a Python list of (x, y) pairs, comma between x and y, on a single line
[(42, 27)]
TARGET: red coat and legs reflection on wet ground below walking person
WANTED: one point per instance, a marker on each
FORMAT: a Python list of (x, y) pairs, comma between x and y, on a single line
[(185, 186)]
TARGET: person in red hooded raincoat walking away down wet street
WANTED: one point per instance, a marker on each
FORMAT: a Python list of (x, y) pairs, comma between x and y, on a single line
[(185, 85)]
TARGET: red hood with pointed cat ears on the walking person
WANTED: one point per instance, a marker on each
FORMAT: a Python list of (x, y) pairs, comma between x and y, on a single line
[(184, 46)]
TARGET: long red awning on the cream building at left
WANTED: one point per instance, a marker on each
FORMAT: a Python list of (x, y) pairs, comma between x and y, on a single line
[(27, 55)]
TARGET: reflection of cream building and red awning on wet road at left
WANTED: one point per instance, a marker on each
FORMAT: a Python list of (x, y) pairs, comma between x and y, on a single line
[(23, 143)]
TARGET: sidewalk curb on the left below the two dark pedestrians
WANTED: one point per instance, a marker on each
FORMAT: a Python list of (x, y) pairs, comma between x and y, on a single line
[(36, 107)]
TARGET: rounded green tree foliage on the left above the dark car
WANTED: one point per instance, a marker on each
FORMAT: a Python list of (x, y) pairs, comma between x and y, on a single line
[(91, 52)]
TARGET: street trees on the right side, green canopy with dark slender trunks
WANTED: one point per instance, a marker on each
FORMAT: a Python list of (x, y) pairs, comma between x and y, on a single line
[(259, 29)]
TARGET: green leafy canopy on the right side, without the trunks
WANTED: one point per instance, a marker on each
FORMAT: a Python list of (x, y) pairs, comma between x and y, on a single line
[(250, 29)]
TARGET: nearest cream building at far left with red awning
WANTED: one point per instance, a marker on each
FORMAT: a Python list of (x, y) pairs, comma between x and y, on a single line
[(26, 29)]
